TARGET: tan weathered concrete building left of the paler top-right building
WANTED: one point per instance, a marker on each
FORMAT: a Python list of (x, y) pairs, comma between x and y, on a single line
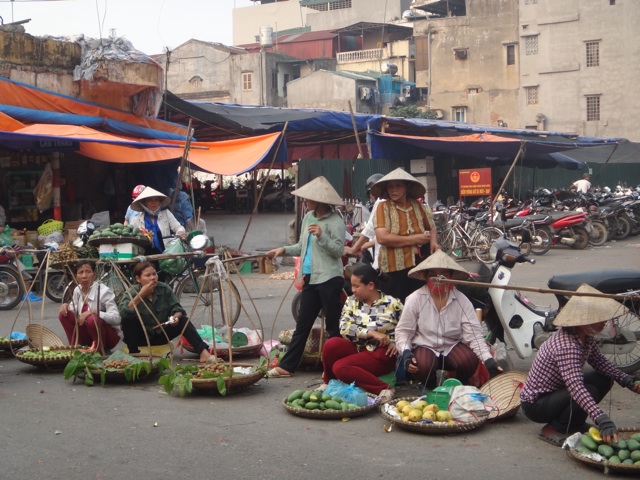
[(467, 60)]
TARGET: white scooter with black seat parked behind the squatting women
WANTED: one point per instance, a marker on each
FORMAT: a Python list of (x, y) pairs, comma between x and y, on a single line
[(511, 318)]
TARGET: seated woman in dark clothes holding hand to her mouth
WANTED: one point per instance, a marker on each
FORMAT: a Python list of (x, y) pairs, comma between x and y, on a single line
[(152, 315)]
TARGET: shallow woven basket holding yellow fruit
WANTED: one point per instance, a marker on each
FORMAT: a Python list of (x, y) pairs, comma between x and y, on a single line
[(417, 415)]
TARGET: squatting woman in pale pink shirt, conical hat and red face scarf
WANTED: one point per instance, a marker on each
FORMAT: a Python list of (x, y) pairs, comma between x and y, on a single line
[(439, 329)]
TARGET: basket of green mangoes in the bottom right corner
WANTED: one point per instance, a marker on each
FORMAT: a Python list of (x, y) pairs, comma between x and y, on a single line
[(621, 457)]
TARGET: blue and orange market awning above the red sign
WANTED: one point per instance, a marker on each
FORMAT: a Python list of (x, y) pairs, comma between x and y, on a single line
[(491, 148)]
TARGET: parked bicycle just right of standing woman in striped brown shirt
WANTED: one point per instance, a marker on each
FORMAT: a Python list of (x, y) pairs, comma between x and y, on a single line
[(470, 239)]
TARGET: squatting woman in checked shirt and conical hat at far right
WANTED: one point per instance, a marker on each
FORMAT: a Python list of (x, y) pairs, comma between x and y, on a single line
[(558, 391)]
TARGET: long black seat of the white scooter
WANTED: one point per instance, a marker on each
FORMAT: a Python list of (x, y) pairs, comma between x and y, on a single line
[(607, 281)]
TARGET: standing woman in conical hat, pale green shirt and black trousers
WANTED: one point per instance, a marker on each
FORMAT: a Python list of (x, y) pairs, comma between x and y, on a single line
[(320, 250)]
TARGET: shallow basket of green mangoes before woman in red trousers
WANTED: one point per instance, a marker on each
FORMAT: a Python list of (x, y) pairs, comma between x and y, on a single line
[(323, 406)]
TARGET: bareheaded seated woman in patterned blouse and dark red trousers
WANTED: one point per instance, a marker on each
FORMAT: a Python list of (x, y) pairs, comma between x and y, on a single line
[(366, 349)]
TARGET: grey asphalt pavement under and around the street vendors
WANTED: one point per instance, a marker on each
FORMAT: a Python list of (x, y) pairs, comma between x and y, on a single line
[(56, 429)]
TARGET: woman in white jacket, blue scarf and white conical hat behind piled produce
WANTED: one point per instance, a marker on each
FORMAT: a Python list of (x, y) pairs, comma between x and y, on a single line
[(161, 222)]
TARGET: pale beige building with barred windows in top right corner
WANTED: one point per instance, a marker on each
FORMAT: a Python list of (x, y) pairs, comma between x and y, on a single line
[(578, 62)]
